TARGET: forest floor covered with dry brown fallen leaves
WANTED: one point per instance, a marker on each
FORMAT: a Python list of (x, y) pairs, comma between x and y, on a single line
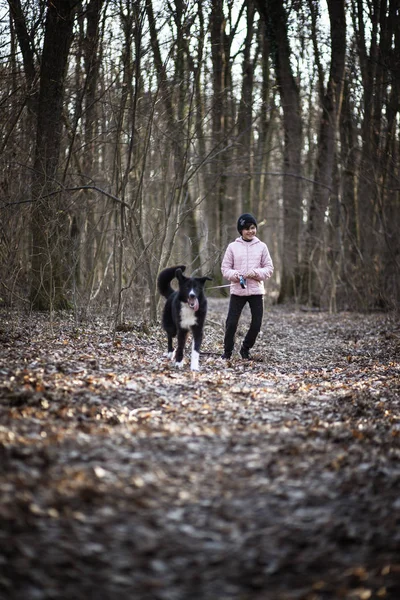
[(124, 478)]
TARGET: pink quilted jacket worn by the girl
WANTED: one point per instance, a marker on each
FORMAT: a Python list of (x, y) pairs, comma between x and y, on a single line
[(242, 257)]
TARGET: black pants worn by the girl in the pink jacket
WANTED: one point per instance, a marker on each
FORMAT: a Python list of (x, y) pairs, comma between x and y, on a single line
[(236, 306)]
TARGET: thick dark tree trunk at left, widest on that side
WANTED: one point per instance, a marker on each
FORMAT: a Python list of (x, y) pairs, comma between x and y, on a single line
[(49, 225)]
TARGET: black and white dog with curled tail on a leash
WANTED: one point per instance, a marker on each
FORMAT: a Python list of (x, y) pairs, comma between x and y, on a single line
[(184, 310)]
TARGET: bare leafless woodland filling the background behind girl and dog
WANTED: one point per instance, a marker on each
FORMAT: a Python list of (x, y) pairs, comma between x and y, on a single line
[(133, 133)]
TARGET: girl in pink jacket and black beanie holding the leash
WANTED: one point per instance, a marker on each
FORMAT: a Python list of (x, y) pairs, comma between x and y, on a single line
[(247, 264)]
